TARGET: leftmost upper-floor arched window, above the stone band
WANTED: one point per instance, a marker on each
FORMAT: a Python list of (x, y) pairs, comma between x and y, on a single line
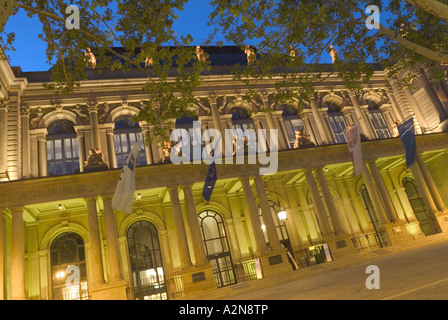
[(62, 148)]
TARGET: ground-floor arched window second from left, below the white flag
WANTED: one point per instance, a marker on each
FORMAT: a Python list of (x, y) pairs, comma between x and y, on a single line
[(146, 262)]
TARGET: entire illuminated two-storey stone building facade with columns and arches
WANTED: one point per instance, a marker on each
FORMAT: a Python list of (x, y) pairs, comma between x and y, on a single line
[(61, 239)]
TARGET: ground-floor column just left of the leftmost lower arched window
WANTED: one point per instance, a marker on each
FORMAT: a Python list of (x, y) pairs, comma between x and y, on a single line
[(17, 255)]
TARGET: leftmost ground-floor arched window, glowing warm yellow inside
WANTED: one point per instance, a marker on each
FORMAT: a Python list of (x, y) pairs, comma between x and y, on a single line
[(68, 268)]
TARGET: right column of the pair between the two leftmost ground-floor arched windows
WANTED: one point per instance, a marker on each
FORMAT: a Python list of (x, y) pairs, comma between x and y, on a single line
[(112, 240)]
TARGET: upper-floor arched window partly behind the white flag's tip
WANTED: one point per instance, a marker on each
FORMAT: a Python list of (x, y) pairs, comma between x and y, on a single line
[(126, 135)]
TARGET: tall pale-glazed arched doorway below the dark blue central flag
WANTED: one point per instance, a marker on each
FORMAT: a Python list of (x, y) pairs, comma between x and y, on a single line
[(217, 247)]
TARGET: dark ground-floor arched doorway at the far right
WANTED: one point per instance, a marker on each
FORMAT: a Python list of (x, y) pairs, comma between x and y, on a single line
[(418, 206)]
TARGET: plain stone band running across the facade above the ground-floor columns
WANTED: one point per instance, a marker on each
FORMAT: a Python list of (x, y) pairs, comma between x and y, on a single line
[(84, 185)]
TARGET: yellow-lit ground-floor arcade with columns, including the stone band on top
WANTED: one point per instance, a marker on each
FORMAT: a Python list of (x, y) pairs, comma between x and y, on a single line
[(62, 239)]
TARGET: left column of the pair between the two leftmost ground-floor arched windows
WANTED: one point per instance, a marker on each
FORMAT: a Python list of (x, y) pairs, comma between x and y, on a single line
[(95, 256)]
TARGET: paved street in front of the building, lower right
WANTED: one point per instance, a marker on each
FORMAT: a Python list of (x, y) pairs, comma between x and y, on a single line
[(417, 274)]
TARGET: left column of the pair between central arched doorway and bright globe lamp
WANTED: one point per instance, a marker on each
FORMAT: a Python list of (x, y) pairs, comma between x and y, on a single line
[(260, 244)]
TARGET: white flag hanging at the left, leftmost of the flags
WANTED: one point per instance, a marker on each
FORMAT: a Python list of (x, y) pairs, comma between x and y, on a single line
[(124, 193)]
